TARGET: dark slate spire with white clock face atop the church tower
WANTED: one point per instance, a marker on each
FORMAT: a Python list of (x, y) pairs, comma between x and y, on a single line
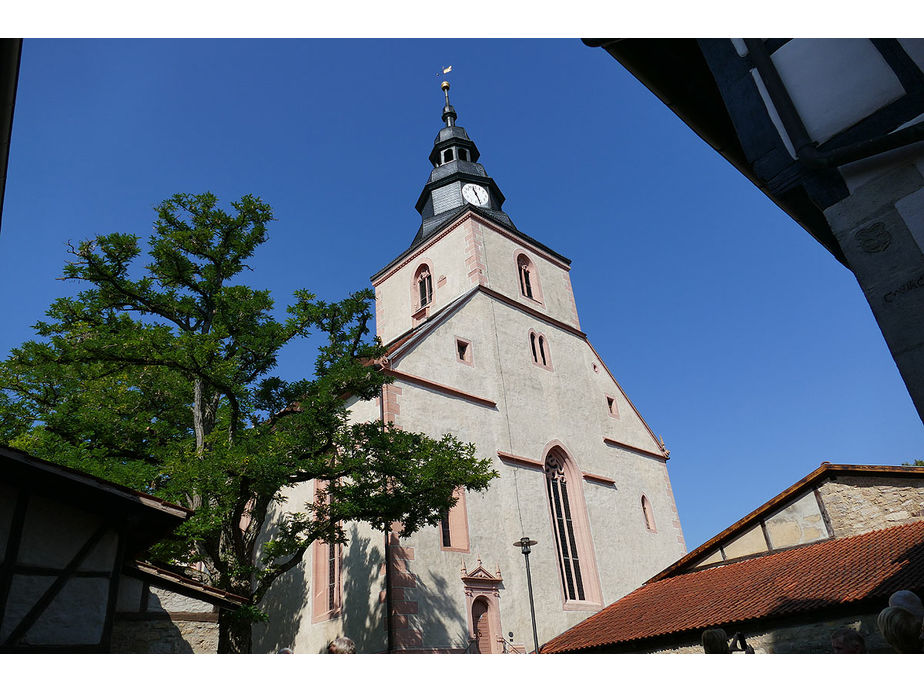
[(457, 182)]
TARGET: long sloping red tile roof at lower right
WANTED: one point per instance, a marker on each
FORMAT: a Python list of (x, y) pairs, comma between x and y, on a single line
[(797, 580)]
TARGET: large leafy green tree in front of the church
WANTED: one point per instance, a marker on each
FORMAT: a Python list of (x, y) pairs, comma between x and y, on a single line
[(162, 380)]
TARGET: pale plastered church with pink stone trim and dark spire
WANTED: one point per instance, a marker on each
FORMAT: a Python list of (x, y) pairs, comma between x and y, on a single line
[(484, 342)]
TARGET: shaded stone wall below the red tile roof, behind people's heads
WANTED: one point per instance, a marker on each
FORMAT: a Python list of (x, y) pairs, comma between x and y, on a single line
[(803, 638)]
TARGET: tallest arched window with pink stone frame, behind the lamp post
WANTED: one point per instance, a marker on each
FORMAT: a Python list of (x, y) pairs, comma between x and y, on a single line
[(575, 561)]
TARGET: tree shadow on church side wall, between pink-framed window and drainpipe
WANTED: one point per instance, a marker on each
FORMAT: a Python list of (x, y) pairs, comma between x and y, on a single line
[(363, 618)]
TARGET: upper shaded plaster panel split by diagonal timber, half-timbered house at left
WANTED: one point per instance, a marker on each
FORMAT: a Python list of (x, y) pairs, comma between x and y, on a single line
[(54, 533)]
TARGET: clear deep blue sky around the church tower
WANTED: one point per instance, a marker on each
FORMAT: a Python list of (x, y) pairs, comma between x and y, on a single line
[(740, 339)]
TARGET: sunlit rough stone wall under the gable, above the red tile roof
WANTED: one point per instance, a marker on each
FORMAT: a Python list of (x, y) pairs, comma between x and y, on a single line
[(858, 504)]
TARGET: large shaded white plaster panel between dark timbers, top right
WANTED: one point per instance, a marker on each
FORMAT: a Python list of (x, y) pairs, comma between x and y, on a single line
[(850, 73)]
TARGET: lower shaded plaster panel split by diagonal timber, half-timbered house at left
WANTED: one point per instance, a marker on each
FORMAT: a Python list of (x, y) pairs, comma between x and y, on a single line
[(75, 616)]
